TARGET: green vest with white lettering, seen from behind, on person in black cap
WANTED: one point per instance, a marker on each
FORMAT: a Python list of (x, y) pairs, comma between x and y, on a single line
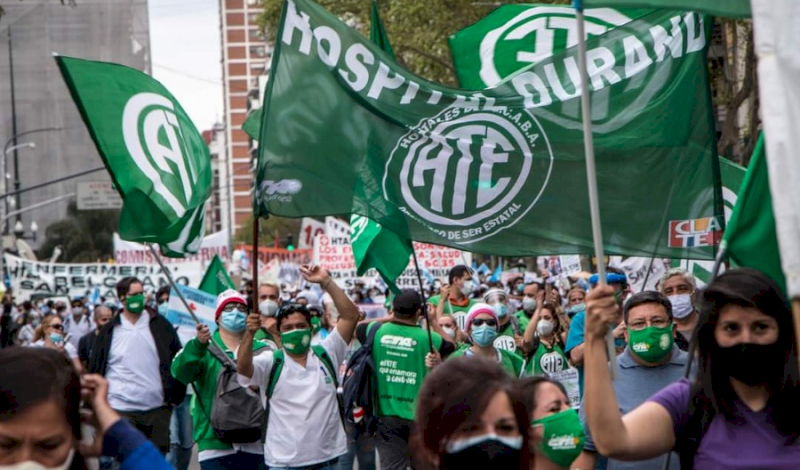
[(399, 354)]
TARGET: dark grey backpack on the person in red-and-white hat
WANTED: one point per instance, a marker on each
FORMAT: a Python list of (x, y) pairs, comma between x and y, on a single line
[(237, 416)]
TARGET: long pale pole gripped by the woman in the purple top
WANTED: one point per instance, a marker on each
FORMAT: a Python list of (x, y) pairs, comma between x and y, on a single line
[(591, 173)]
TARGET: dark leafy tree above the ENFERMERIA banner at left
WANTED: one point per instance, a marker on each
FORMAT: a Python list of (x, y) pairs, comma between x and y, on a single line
[(84, 236)]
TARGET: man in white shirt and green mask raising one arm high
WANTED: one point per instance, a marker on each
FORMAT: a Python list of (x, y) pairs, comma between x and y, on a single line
[(304, 427)]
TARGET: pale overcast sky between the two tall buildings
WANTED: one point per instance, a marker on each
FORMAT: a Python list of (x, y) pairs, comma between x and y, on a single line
[(185, 40)]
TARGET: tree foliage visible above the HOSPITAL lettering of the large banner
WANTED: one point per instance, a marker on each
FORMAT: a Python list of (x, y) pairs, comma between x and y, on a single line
[(417, 29)]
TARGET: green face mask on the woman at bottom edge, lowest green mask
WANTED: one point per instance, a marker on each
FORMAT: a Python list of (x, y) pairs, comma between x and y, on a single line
[(562, 437)]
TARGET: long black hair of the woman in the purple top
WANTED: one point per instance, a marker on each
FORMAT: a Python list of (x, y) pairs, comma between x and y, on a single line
[(712, 390)]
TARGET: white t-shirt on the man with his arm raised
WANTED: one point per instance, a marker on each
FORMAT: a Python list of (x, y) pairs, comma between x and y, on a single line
[(304, 425)]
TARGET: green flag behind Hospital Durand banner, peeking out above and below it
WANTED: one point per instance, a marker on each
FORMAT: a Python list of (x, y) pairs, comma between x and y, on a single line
[(373, 245)]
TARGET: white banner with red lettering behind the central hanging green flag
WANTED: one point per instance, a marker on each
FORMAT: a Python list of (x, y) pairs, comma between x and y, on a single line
[(336, 255)]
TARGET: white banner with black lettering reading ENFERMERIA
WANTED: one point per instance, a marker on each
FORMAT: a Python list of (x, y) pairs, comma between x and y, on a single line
[(61, 279)]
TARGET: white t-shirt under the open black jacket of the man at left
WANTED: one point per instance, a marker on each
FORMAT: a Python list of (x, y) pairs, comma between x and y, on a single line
[(134, 379)]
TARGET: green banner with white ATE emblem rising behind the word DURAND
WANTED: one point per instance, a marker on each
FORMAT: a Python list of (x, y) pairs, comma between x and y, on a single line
[(513, 37)]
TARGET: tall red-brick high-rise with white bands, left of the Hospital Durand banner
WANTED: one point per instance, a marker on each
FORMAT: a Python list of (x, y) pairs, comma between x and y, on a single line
[(245, 60)]
